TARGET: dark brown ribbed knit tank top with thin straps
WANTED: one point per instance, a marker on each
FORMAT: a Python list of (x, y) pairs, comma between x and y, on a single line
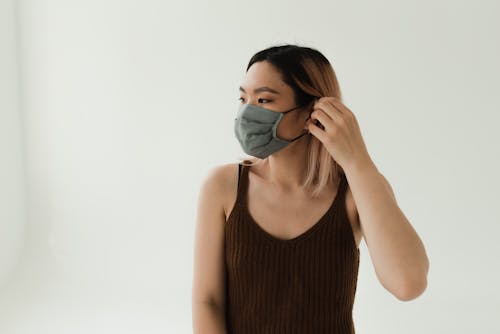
[(306, 284)]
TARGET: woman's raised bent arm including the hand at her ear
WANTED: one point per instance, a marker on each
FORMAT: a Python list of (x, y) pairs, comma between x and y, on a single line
[(397, 253)]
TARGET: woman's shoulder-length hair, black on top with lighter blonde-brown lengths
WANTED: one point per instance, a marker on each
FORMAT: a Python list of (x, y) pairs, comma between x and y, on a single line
[(311, 76)]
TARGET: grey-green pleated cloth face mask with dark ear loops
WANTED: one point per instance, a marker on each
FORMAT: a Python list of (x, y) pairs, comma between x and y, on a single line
[(255, 128)]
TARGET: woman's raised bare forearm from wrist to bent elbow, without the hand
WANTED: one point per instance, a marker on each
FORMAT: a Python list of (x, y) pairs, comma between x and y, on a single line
[(397, 253)]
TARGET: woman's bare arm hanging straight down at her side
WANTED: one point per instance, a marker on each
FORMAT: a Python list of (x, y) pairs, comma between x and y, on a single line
[(208, 286)]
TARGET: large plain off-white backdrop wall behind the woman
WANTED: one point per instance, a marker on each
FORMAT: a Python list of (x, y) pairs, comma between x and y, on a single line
[(125, 106)]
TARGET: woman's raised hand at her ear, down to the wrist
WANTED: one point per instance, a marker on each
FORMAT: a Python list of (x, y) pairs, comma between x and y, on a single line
[(341, 135)]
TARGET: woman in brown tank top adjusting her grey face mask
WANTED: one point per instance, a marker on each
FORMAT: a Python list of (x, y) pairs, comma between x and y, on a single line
[(277, 235)]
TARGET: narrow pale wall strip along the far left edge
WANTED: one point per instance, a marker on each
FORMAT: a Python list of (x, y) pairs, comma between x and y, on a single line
[(12, 180)]
